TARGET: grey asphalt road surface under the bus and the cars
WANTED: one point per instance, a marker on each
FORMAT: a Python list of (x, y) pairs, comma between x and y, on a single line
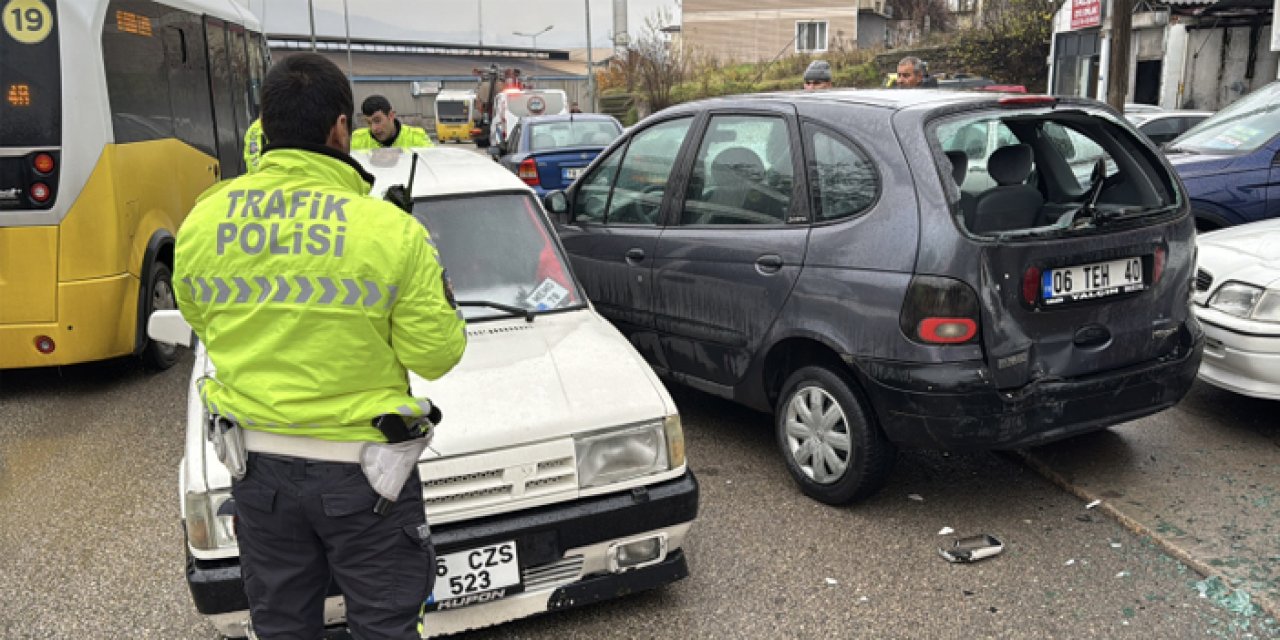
[(90, 542)]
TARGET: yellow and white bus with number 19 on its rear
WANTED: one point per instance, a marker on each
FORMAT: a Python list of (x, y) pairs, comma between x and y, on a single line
[(115, 116)]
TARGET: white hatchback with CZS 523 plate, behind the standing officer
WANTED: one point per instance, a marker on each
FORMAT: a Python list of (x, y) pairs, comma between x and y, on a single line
[(560, 450)]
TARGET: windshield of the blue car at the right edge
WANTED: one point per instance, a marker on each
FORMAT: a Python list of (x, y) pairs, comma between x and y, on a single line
[(1242, 127)]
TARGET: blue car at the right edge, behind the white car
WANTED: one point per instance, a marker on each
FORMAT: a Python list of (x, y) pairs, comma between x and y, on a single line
[(1231, 163)]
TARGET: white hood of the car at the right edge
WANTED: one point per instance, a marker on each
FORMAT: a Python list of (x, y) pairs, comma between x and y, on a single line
[(1250, 254)]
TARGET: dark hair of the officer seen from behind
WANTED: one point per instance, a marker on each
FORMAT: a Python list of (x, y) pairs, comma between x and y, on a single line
[(303, 97)]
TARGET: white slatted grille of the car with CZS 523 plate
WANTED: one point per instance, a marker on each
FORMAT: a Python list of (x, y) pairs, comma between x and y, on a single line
[(497, 482)]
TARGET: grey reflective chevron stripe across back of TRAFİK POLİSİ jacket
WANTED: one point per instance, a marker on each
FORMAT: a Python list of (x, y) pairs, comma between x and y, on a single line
[(348, 292)]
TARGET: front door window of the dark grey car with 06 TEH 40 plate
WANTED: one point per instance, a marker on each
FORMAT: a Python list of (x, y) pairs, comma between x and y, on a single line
[(638, 194)]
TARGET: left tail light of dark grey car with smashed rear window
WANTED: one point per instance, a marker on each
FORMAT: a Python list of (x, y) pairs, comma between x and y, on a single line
[(940, 312)]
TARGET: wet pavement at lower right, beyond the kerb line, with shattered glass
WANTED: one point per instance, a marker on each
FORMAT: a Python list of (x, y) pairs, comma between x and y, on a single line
[(1203, 478)]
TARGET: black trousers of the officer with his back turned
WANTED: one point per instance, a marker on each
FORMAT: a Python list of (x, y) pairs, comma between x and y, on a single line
[(301, 523)]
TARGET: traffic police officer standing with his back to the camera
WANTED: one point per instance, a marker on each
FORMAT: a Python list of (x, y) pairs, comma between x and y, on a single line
[(313, 301)]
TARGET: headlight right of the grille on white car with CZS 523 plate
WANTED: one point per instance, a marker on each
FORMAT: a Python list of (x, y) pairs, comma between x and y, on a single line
[(620, 455)]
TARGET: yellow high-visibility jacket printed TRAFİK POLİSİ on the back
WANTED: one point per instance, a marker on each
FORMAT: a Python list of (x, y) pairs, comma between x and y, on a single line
[(313, 299)]
